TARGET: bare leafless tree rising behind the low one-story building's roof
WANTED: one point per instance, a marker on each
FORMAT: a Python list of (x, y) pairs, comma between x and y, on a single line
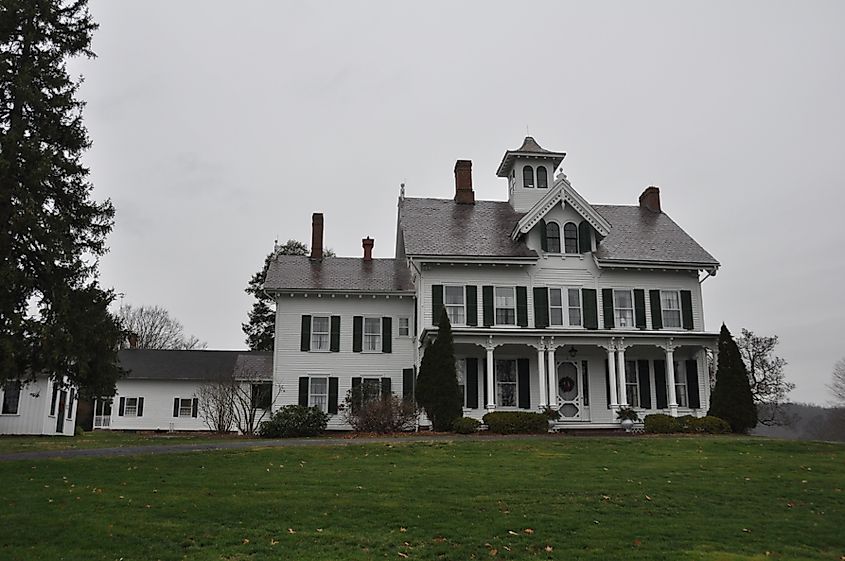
[(153, 328)]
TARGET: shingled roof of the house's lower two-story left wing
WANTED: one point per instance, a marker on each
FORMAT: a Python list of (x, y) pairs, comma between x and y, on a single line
[(341, 274)]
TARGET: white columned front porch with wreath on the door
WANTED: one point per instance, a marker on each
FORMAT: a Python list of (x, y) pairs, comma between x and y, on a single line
[(586, 379)]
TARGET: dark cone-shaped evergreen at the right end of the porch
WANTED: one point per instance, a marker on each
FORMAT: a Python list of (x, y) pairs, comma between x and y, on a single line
[(732, 399)]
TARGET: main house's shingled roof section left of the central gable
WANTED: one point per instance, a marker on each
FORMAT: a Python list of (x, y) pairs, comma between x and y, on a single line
[(441, 227)]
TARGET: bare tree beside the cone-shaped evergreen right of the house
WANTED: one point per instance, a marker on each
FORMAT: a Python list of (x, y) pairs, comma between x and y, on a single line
[(769, 386)]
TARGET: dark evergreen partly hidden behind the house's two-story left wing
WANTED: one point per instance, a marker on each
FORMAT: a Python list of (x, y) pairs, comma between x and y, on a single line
[(260, 329)]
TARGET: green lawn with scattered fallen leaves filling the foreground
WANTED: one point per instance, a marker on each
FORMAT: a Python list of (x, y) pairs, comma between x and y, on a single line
[(557, 498)]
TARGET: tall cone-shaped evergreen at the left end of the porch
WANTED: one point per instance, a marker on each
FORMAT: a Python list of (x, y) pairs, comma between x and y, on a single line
[(437, 388)]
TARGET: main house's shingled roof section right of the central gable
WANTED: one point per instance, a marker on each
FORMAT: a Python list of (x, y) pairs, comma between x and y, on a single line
[(639, 235)]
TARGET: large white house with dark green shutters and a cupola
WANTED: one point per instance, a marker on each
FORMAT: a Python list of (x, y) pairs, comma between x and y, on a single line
[(553, 301)]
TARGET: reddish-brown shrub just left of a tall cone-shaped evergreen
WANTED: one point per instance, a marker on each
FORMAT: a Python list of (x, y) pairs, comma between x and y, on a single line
[(381, 415)]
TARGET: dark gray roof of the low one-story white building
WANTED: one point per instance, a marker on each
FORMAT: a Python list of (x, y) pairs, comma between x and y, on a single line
[(195, 365)]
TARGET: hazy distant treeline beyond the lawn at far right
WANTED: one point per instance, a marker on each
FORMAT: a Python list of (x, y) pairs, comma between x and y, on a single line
[(808, 422)]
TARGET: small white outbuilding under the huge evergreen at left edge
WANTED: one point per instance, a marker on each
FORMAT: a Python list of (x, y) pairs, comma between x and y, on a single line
[(41, 406)]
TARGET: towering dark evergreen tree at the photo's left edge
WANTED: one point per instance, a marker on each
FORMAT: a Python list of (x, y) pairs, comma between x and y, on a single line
[(54, 317)]
